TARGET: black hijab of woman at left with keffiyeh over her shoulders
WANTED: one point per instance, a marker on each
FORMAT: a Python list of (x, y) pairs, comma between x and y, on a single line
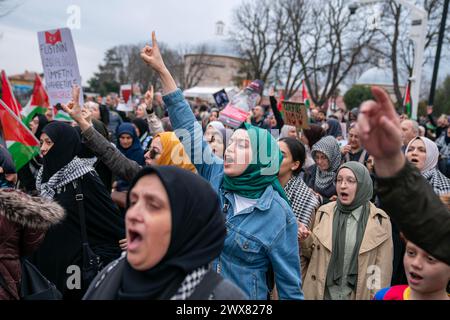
[(67, 144)]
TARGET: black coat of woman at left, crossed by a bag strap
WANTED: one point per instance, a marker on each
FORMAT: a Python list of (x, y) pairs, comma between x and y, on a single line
[(62, 247)]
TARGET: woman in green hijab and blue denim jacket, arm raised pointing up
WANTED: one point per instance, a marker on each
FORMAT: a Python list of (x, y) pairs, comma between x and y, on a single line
[(261, 227)]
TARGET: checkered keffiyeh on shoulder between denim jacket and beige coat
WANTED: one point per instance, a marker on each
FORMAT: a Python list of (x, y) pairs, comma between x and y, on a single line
[(303, 200)]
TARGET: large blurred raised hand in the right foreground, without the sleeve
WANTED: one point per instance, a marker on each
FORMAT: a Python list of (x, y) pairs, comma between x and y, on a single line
[(380, 133)]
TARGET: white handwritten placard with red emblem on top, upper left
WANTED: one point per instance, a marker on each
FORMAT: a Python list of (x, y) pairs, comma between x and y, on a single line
[(60, 64)]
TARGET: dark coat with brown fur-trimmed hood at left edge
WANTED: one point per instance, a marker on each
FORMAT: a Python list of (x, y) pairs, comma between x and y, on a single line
[(23, 223)]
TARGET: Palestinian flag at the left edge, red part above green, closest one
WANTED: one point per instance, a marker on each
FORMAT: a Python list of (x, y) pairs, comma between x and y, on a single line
[(20, 141)]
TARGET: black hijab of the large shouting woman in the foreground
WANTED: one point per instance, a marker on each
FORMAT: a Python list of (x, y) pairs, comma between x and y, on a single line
[(198, 235)]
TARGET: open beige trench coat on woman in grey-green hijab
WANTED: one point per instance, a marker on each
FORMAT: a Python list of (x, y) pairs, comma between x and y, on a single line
[(374, 259)]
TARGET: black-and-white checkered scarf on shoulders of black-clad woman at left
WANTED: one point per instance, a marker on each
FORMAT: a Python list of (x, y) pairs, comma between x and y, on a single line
[(72, 171)]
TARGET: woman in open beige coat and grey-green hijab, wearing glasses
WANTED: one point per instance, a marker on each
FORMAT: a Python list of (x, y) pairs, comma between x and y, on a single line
[(349, 250)]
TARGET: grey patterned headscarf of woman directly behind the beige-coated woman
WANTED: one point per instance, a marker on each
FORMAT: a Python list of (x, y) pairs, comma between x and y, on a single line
[(330, 147)]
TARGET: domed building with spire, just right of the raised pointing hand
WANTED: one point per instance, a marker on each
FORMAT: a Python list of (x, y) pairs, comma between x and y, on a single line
[(212, 66)]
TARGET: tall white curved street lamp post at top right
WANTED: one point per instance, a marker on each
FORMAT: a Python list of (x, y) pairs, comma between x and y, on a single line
[(417, 33)]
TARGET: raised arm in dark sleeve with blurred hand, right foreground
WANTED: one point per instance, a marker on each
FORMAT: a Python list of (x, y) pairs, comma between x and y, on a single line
[(404, 193)]
